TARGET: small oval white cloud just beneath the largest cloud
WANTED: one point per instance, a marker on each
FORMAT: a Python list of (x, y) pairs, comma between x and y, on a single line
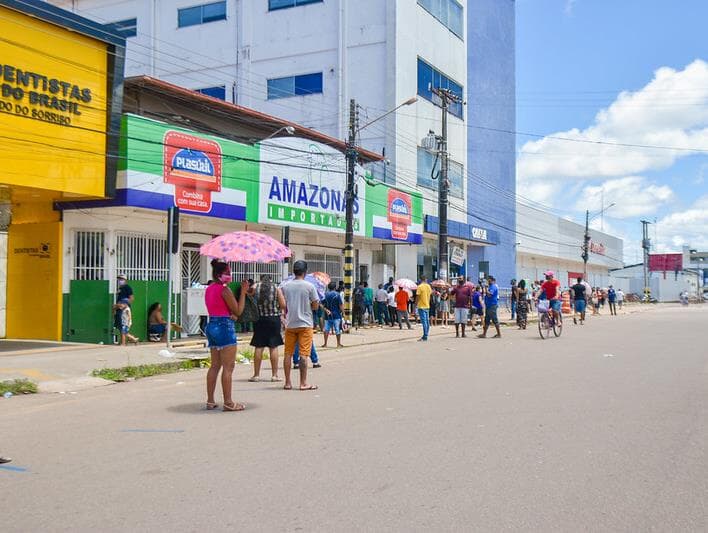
[(633, 196)]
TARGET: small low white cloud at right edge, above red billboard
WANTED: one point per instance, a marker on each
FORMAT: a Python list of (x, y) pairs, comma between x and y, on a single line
[(687, 227)]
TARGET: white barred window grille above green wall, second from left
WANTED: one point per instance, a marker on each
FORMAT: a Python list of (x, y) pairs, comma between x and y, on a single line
[(142, 257)]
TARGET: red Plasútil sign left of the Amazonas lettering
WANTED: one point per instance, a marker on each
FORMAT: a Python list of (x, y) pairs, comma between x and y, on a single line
[(193, 165)]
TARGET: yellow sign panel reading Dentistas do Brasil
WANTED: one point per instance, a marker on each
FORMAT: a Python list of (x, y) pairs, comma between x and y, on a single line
[(53, 106)]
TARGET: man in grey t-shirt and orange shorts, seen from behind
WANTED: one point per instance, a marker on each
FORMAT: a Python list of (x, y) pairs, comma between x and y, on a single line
[(301, 300)]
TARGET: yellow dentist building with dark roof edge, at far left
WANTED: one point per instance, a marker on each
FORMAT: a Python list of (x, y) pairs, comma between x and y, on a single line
[(60, 100)]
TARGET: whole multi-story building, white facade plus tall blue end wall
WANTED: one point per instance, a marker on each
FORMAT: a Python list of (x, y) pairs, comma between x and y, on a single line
[(304, 60)]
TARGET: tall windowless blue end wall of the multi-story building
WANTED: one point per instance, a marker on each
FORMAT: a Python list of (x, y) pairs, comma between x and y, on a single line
[(491, 86)]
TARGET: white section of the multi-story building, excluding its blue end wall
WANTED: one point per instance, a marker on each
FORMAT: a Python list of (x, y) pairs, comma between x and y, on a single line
[(304, 60)]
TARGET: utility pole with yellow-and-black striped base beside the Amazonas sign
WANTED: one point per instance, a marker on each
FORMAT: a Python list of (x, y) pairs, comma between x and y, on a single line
[(350, 195)]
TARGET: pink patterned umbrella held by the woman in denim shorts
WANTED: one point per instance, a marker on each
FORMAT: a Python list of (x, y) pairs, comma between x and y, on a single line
[(245, 247)]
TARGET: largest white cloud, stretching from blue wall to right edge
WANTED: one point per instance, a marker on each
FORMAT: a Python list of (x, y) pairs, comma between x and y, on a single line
[(670, 111)]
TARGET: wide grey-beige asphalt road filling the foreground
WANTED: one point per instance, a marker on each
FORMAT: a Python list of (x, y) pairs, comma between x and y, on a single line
[(604, 429)]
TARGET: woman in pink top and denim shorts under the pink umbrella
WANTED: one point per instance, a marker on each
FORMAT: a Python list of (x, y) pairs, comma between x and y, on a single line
[(223, 311)]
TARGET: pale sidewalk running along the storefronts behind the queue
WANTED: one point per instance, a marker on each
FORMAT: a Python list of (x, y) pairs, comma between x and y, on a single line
[(58, 367)]
